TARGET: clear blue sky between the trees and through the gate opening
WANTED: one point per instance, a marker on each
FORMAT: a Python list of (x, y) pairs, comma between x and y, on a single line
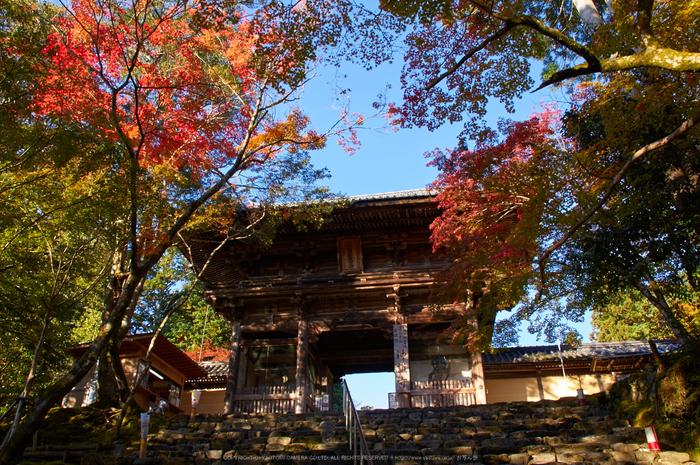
[(387, 161)]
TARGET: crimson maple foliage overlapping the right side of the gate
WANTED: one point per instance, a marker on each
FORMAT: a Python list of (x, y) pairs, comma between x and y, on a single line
[(495, 201)]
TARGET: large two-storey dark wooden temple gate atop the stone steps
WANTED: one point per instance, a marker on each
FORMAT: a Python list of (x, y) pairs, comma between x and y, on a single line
[(349, 297)]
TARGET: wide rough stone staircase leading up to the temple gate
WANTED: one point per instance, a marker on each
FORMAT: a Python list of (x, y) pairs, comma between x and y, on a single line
[(516, 433)]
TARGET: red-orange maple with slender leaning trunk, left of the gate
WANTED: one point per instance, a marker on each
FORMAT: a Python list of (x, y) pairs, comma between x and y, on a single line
[(193, 102)]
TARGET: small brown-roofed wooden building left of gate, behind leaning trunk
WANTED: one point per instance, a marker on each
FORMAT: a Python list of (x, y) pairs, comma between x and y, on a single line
[(170, 369)]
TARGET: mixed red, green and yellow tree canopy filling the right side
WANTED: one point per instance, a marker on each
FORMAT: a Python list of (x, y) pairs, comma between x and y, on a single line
[(604, 193)]
